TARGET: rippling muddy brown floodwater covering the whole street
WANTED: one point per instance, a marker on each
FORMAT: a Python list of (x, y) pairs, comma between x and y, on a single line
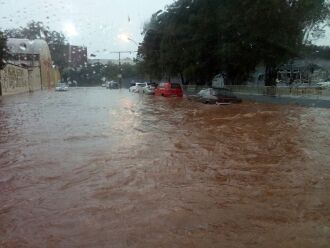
[(101, 168)]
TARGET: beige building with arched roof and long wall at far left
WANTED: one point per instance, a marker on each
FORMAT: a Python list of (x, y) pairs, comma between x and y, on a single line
[(28, 68)]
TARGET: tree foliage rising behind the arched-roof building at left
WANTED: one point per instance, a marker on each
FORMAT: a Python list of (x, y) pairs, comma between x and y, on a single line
[(37, 30)]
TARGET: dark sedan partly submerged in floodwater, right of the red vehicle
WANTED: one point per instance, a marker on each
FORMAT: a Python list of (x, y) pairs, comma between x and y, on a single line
[(216, 95)]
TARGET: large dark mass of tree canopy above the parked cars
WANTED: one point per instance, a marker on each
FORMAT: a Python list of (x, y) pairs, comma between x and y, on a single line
[(198, 39)]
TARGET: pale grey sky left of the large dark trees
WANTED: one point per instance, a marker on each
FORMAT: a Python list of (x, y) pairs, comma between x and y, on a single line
[(101, 25)]
